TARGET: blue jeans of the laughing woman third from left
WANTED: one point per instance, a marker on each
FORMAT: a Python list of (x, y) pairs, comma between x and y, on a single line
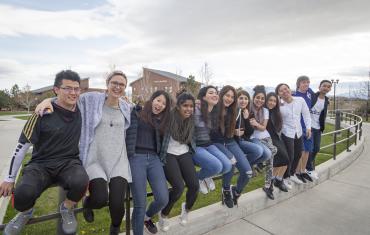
[(147, 167)]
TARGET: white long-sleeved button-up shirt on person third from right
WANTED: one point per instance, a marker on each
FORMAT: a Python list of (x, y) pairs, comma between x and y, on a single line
[(291, 114)]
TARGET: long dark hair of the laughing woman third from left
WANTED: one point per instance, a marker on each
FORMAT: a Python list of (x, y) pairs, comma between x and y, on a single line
[(147, 114)]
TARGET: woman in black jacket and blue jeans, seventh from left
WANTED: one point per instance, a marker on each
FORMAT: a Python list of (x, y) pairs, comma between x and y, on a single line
[(244, 130)]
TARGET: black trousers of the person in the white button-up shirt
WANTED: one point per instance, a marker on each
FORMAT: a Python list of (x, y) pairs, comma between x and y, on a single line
[(294, 149)]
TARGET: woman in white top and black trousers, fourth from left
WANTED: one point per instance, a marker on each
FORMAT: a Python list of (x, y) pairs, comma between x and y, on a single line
[(178, 147)]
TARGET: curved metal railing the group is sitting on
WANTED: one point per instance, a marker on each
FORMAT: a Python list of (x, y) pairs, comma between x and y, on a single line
[(353, 130)]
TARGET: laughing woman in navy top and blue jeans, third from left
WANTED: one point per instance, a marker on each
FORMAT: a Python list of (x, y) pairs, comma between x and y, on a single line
[(143, 141)]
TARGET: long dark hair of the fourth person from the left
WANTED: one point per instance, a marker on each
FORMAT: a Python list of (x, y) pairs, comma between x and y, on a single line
[(180, 129)]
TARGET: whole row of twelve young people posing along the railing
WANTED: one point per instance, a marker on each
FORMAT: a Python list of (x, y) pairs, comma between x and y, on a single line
[(96, 144)]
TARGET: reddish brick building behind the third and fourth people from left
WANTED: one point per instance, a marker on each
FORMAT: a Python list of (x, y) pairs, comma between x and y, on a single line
[(154, 80)]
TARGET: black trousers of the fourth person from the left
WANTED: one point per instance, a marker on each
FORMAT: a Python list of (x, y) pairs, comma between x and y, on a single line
[(180, 169)]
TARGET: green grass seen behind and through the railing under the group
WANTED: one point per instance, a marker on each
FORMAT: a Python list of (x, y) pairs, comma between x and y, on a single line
[(47, 203)]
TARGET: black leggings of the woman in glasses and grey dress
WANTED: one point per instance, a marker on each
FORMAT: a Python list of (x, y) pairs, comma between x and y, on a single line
[(99, 197)]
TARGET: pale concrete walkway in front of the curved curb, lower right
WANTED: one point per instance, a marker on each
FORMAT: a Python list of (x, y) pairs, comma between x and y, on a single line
[(340, 205)]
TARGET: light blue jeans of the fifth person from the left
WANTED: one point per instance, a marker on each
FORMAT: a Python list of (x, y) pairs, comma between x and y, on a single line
[(211, 160)]
